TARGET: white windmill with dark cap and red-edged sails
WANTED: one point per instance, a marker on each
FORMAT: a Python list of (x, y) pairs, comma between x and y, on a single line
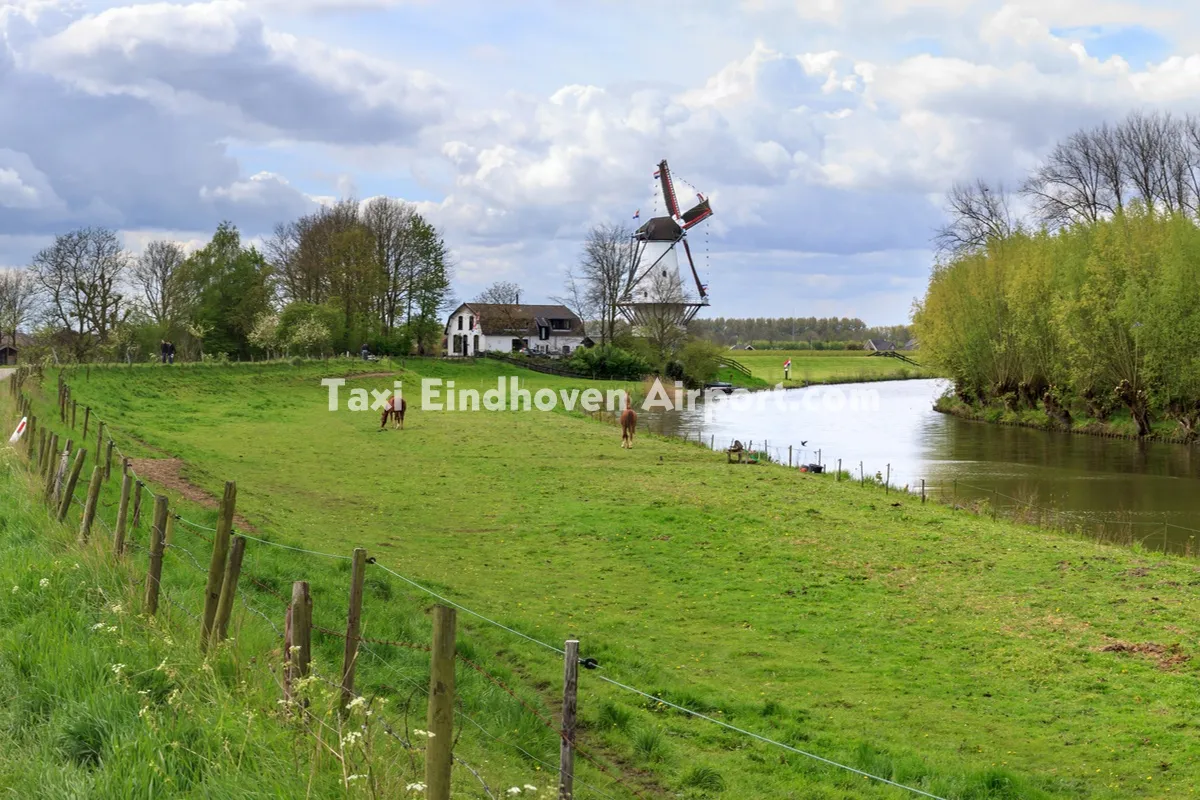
[(656, 290)]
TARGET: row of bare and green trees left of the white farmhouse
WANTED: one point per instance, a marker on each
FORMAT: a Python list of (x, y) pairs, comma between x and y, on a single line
[(350, 274)]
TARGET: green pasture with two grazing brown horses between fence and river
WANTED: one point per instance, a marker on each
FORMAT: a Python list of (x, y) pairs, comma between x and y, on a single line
[(969, 658)]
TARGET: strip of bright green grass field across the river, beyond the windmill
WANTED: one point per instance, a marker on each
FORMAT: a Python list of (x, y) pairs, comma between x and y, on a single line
[(825, 366)]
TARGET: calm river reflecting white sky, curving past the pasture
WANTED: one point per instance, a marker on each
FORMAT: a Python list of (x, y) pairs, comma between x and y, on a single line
[(1114, 489)]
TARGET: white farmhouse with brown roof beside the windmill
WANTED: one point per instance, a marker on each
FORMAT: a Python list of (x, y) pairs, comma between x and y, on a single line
[(477, 328)]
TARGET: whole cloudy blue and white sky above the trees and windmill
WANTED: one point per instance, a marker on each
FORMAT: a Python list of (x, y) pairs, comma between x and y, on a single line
[(825, 133)]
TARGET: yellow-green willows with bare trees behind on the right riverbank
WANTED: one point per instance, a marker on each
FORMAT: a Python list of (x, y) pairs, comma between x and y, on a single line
[(1087, 305)]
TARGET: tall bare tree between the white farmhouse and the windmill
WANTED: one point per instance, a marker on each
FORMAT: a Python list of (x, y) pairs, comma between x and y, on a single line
[(602, 276)]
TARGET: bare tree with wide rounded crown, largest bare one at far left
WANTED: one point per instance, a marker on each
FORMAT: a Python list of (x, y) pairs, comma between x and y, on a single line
[(80, 279)]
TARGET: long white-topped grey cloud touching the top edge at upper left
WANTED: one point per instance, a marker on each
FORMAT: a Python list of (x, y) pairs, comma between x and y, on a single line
[(219, 58)]
